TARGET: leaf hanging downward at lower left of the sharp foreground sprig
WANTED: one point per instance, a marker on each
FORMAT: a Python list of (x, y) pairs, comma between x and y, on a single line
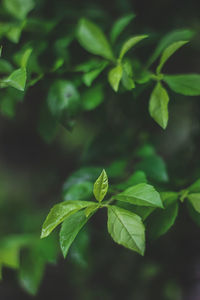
[(70, 229)]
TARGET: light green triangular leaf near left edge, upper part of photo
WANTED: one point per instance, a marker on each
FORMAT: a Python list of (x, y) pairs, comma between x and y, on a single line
[(17, 79)]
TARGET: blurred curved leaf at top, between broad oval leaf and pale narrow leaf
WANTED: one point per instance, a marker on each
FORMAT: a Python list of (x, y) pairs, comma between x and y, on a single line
[(119, 26)]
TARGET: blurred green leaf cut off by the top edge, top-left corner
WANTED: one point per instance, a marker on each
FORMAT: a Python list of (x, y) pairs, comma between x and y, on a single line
[(18, 8)]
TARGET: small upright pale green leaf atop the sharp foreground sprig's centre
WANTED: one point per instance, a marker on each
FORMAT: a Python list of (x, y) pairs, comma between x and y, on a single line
[(101, 186)]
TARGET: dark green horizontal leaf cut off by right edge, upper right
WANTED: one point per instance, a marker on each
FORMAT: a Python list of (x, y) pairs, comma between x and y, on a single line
[(186, 84)]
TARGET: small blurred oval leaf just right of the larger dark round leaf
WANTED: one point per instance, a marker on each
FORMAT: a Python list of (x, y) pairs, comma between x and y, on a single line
[(92, 97)]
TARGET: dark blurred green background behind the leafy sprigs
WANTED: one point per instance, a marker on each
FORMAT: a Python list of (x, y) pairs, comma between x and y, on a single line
[(37, 156)]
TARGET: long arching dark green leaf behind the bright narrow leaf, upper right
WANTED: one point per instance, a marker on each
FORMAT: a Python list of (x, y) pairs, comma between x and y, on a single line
[(168, 39)]
